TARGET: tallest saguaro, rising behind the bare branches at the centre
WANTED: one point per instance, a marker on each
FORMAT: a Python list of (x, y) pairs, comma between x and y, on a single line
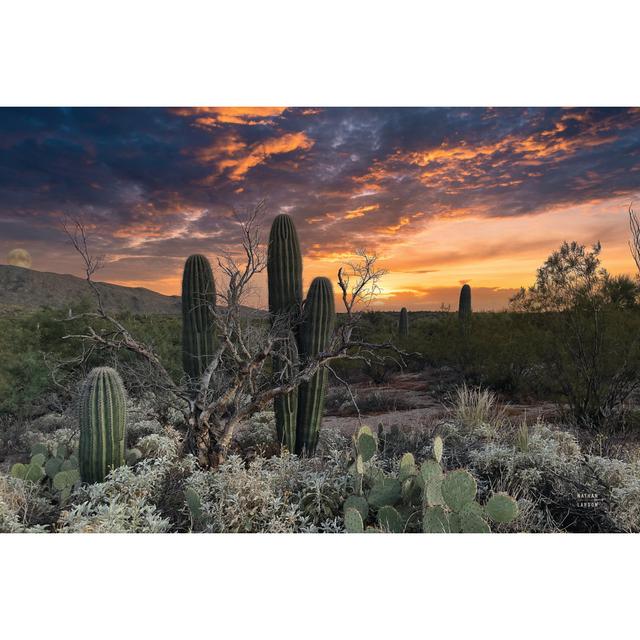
[(284, 274)]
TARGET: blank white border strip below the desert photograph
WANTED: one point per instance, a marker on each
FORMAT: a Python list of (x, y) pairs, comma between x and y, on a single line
[(318, 587)]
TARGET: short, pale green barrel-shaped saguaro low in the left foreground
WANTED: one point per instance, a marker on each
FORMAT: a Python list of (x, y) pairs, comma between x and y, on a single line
[(102, 416)]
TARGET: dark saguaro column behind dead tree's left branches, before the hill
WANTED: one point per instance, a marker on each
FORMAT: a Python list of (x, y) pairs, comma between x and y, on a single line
[(198, 303)]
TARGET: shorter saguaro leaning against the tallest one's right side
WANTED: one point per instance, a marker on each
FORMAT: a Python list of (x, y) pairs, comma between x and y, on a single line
[(316, 328)]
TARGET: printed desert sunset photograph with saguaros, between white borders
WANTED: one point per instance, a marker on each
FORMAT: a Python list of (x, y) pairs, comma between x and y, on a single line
[(388, 320)]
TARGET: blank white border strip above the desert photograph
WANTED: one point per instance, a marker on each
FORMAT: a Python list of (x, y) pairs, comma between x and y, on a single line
[(337, 52)]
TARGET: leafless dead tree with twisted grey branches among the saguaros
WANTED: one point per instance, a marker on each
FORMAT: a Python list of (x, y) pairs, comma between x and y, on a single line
[(235, 384)]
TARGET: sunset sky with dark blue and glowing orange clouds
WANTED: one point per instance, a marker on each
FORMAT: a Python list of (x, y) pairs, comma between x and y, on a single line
[(443, 196)]
